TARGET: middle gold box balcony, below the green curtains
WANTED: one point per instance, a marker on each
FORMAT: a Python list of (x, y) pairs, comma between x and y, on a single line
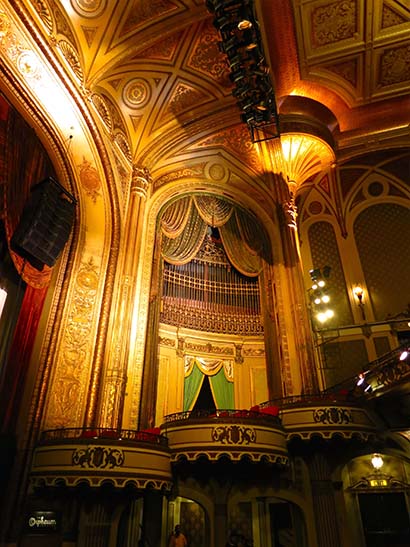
[(233, 435)]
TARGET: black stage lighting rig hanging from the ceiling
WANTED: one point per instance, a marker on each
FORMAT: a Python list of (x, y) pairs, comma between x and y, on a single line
[(241, 42)]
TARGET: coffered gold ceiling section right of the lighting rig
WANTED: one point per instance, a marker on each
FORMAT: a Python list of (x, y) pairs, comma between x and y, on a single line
[(358, 48)]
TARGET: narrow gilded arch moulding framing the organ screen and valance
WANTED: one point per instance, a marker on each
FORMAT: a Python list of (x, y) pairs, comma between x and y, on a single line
[(149, 369)]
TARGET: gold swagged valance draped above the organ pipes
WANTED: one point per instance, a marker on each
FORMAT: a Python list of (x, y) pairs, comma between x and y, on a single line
[(185, 222)]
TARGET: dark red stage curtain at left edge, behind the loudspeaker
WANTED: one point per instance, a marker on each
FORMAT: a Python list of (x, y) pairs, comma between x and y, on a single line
[(24, 163)]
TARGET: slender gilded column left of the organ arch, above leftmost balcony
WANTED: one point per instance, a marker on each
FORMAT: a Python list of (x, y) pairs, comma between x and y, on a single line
[(115, 379)]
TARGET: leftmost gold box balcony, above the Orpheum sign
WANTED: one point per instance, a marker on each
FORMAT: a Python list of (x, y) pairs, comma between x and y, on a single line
[(123, 458)]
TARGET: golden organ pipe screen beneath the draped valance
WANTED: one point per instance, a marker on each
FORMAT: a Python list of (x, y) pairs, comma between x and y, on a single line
[(209, 294)]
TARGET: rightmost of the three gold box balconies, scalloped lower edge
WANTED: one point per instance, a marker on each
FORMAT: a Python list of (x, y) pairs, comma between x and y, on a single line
[(326, 416)]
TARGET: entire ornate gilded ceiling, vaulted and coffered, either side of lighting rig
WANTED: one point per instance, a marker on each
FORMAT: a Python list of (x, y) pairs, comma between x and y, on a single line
[(159, 85)]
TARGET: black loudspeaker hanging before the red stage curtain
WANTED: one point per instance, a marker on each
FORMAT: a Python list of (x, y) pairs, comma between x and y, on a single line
[(45, 224)]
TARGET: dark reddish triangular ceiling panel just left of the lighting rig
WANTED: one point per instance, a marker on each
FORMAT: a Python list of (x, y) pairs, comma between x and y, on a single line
[(207, 57)]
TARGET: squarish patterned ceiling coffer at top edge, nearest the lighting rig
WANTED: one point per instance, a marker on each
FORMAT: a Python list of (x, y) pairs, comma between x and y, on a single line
[(334, 22)]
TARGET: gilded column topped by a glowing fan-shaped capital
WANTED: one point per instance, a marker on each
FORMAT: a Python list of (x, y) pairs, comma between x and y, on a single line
[(302, 151)]
